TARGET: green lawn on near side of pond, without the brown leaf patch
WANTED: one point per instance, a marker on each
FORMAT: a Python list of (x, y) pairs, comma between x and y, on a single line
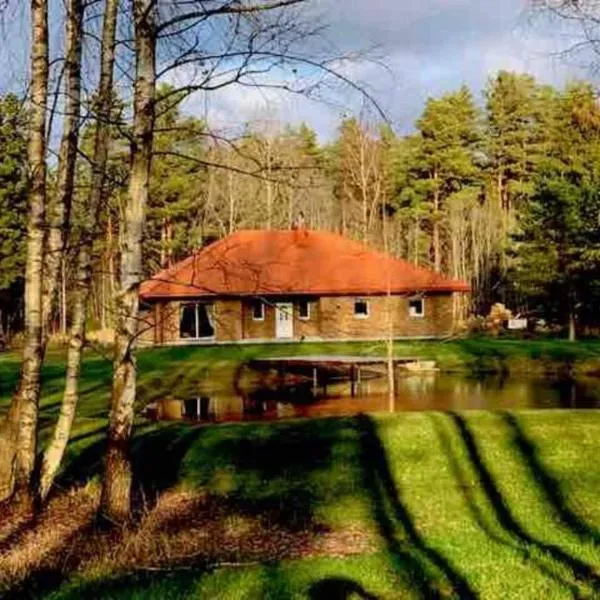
[(463, 505)]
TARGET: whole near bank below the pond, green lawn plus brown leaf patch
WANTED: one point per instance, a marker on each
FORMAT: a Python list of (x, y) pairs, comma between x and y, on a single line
[(475, 505)]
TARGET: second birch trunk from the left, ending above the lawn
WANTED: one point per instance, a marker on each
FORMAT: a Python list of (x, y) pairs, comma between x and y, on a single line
[(60, 209)]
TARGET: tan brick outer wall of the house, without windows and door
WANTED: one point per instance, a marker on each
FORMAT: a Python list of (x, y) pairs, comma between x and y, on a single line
[(330, 318)]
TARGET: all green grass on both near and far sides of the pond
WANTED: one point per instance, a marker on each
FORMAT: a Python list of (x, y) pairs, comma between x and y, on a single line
[(478, 504)]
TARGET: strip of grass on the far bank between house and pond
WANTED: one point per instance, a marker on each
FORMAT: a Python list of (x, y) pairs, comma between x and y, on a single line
[(177, 371)]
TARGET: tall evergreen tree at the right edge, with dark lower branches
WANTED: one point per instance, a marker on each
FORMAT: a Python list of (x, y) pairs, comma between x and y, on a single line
[(559, 244)]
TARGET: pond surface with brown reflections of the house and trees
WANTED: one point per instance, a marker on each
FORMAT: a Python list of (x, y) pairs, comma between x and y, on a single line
[(420, 392)]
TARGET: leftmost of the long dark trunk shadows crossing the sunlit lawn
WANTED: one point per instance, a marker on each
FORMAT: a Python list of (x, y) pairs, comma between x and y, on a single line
[(423, 564)]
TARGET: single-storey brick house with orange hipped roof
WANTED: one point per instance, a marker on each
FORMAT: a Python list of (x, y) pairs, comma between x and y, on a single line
[(294, 285)]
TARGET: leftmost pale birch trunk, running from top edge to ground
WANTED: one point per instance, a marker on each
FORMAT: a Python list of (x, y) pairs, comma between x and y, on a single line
[(18, 442)]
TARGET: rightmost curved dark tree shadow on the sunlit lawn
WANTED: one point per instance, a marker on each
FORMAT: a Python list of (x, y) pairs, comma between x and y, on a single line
[(548, 485)]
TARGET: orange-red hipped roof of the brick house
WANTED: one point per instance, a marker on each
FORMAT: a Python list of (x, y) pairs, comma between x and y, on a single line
[(300, 262)]
